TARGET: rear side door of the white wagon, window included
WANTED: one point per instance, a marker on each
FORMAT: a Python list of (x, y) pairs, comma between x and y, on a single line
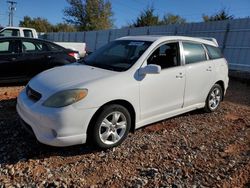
[(199, 73)]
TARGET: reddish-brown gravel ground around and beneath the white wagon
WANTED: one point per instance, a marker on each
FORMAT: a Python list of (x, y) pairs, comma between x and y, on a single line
[(196, 149)]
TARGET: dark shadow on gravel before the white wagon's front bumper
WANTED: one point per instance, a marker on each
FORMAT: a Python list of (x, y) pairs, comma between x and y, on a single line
[(18, 145)]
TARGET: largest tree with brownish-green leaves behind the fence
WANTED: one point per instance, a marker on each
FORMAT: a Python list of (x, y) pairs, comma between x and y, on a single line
[(89, 14)]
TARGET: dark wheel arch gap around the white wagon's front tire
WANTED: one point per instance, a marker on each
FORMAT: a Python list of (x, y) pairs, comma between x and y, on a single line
[(121, 102)]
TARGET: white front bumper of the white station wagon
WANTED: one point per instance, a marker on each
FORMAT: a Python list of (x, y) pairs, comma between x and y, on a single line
[(55, 126)]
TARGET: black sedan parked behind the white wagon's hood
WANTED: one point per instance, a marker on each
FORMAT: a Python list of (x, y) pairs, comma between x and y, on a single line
[(23, 58)]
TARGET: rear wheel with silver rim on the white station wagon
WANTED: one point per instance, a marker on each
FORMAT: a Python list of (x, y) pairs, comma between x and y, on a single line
[(214, 98)]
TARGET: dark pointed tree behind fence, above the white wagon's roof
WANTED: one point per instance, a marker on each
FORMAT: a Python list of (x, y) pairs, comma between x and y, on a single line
[(146, 18)]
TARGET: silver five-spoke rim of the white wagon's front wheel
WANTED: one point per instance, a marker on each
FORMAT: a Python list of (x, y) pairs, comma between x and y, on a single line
[(113, 128)]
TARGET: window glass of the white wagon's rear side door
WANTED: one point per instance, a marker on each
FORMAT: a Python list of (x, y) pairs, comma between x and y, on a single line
[(193, 52)]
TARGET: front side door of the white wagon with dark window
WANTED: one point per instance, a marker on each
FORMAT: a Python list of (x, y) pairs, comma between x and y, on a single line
[(162, 93)]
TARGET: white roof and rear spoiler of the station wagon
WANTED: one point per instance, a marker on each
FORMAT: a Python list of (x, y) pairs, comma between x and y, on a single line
[(152, 38)]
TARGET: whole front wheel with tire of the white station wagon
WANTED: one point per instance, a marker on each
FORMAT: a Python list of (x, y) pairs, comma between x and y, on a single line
[(111, 127)]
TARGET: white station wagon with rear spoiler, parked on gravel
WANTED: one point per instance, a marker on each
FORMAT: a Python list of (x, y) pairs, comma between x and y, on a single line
[(129, 83)]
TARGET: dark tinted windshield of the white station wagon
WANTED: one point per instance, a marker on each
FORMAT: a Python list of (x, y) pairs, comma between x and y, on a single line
[(118, 55)]
